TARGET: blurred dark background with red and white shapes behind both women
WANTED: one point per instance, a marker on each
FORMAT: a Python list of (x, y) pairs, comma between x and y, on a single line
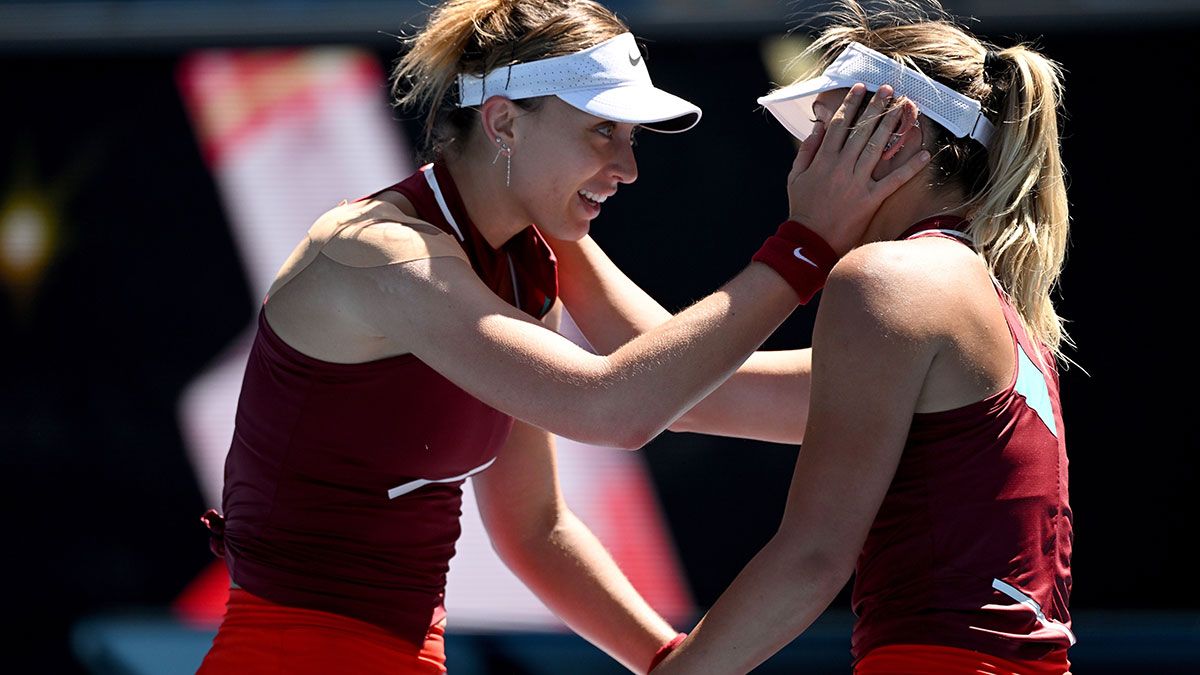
[(159, 159)]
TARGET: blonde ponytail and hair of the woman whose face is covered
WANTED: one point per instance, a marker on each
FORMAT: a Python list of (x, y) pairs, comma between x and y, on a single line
[(1017, 195)]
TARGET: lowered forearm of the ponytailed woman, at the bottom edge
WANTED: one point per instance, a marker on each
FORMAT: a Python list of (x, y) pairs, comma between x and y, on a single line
[(775, 599)]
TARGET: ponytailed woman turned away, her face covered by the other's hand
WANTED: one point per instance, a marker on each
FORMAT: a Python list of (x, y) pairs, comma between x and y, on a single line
[(933, 463)]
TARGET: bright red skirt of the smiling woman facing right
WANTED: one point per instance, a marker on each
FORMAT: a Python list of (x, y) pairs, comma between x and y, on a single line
[(259, 637)]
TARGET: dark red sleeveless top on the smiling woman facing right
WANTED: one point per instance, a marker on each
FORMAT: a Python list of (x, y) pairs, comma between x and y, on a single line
[(325, 499)]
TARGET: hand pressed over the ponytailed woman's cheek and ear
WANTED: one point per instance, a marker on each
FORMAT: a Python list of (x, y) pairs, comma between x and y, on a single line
[(831, 189)]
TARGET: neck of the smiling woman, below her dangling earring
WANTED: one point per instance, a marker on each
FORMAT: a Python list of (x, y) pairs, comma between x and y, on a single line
[(490, 206)]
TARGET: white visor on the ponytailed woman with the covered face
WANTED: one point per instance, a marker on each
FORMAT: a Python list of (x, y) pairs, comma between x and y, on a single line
[(962, 116)]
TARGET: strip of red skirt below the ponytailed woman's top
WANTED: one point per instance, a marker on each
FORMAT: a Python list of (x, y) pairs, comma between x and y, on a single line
[(935, 660)]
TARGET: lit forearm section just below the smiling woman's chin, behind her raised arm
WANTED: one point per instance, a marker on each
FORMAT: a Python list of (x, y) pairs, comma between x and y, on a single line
[(608, 307)]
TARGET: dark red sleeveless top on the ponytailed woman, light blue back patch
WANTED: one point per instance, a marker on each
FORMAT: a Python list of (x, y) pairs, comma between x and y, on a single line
[(971, 547)]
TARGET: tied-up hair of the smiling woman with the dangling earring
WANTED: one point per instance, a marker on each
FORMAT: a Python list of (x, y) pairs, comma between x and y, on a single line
[(478, 37)]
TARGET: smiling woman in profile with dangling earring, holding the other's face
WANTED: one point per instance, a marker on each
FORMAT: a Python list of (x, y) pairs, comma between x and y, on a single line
[(410, 343)]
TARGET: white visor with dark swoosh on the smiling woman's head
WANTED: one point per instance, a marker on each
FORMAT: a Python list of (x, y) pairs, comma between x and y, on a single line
[(609, 81)]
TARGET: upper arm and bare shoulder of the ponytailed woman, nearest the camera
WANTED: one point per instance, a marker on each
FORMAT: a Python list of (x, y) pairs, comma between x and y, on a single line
[(873, 347)]
